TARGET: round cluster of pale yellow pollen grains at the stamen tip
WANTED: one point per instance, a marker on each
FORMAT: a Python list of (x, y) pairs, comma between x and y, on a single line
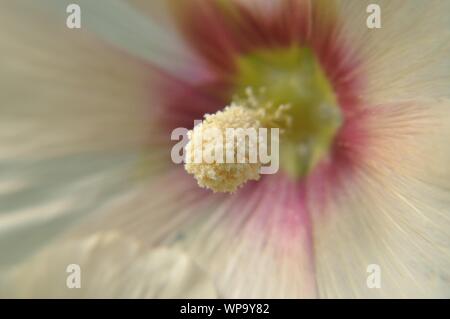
[(222, 176)]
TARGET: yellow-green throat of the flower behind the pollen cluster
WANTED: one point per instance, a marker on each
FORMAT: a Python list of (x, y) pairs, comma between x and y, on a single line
[(293, 77)]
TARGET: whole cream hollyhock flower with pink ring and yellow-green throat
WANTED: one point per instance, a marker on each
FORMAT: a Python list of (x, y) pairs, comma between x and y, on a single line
[(87, 181)]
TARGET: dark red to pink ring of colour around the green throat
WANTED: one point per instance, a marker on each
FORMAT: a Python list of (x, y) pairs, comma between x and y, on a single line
[(220, 35)]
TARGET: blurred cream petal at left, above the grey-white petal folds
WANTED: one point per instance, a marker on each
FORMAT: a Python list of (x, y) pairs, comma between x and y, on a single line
[(65, 92)]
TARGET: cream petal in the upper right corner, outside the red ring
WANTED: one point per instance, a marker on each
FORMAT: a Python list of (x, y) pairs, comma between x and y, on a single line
[(408, 56)]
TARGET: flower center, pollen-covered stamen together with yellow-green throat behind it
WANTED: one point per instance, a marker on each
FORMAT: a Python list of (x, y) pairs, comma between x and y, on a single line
[(284, 89)]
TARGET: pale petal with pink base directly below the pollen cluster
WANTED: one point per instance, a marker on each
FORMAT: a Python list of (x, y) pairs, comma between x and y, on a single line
[(252, 245)]
